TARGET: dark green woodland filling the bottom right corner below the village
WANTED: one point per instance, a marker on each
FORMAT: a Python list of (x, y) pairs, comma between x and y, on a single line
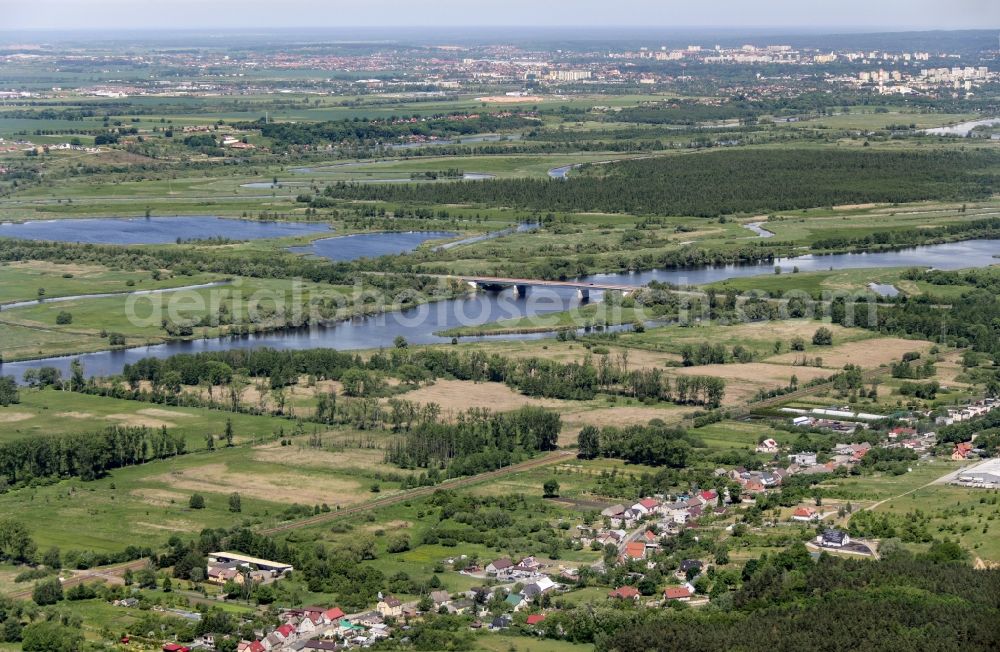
[(788, 602)]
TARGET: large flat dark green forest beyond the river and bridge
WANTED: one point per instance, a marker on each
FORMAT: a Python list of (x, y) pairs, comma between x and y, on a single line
[(722, 182)]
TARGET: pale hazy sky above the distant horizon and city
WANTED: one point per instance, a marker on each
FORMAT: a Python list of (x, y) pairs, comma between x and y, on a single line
[(855, 15)]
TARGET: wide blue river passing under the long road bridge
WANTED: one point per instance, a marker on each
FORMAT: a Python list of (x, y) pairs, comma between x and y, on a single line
[(419, 324)]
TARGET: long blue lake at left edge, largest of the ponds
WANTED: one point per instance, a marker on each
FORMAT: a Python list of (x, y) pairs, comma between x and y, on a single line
[(154, 230)]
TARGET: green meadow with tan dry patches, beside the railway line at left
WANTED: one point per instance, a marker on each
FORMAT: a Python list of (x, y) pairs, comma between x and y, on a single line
[(146, 504)]
